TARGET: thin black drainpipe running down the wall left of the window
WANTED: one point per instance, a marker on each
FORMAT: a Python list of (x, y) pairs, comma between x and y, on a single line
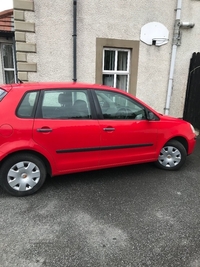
[(74, 40)]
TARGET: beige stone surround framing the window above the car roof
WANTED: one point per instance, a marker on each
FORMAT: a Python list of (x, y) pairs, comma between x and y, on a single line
[(102, 43)]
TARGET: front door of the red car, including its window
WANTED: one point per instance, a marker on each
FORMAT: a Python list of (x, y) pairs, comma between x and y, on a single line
[(126, 135)]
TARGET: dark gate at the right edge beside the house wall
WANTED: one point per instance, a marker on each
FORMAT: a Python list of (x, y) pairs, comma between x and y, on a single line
[(192, 99)]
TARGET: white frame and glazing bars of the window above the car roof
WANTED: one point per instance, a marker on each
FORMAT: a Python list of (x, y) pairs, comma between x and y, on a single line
[(116, 72)]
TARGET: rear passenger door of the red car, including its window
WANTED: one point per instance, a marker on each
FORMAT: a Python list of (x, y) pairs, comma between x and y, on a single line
[(65, 129)]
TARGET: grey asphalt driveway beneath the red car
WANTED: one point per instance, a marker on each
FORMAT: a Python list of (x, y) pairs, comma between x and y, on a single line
[(123, 217)]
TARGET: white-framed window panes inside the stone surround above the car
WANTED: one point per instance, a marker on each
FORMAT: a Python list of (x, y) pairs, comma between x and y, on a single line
[(116, 66)]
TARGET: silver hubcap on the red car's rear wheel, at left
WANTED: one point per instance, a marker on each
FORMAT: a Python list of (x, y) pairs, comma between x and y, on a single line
[(23, 176)]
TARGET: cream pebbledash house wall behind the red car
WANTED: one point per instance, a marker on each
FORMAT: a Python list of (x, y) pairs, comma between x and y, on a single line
[(44, 43)]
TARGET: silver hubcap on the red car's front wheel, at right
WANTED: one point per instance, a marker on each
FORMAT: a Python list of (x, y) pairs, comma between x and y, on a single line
[(169, 156)]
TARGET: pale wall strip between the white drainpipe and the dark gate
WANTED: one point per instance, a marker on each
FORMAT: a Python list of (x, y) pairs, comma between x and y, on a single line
[(190, 43)]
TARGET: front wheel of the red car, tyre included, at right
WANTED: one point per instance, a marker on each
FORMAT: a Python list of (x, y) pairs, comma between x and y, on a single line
[(172, 156)]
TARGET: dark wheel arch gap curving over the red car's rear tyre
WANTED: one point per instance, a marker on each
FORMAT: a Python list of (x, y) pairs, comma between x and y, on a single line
[(32, 152)]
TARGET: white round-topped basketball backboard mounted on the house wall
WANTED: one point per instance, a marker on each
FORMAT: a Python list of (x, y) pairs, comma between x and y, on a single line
[(154, 33)]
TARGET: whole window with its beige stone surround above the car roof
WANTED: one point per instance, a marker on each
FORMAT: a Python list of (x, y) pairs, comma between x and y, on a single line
[(117, 63)]
